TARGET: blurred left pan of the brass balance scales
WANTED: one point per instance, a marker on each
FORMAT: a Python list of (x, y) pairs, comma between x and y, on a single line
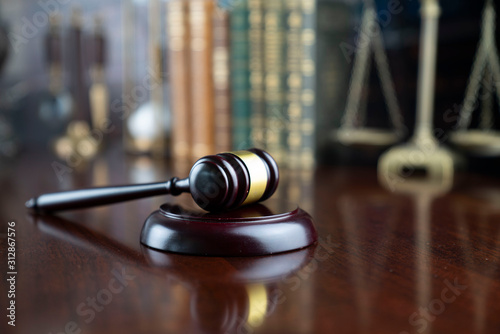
[(366, 137)]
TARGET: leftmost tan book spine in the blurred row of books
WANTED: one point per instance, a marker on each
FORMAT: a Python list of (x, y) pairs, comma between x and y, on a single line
[(178, 65)]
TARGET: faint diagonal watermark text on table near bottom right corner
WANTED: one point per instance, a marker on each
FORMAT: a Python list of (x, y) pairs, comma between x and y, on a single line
[(421, 319)]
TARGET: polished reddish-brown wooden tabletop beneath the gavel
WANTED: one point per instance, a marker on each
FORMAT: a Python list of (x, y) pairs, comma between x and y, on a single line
[(386, 262)]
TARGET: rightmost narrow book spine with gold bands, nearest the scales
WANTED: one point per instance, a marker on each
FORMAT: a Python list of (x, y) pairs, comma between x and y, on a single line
[(308, 97)]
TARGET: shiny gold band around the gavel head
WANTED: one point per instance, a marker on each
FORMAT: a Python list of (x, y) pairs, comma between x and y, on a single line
[(258, 175)]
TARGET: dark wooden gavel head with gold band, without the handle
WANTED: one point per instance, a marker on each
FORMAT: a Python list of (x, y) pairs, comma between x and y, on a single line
[(228, 180)]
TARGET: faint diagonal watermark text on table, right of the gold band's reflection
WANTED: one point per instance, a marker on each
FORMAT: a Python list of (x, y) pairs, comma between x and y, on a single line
[(323, 252)]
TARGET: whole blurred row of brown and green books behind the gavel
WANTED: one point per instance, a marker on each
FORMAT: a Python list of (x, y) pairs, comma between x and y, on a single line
[(243, 77)]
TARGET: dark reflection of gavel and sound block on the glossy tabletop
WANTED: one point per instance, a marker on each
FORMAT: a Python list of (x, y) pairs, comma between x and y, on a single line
[(225, 295)]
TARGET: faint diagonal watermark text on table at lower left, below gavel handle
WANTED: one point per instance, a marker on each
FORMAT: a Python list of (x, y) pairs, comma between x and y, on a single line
[(89, 308)]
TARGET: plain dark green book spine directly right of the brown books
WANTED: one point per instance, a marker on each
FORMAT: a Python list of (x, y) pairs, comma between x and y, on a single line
[(240, 75)]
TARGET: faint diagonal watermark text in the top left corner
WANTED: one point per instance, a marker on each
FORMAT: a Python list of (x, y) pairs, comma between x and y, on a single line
[(31, 26)]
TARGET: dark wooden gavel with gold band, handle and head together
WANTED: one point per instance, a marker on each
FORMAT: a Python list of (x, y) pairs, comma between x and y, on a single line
[(216, 182)]
